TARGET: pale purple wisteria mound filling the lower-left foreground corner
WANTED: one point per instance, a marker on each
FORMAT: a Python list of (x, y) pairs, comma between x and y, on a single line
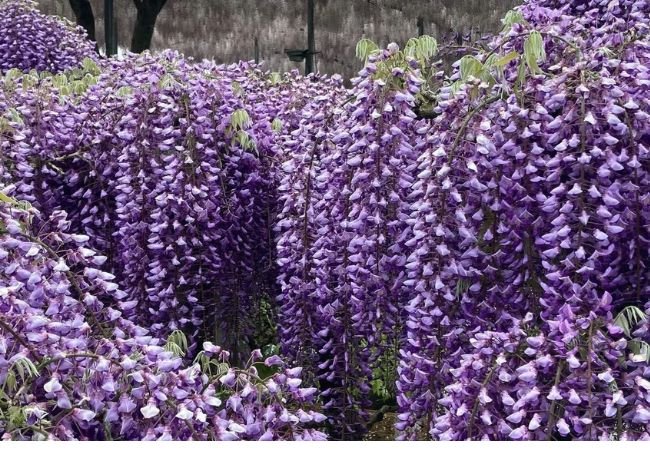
[(72, 367)]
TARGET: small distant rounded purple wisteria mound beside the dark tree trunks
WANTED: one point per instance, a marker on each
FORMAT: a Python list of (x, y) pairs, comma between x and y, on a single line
[(30, 40)]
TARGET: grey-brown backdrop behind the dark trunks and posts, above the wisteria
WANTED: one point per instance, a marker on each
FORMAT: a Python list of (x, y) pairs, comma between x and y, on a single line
[(225, 30)]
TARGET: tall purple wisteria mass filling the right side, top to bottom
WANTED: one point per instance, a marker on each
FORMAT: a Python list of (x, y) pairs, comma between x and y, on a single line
[(534, 194)]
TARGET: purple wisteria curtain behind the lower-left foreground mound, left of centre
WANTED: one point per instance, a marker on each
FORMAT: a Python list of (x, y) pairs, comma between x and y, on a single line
[(168, 166)]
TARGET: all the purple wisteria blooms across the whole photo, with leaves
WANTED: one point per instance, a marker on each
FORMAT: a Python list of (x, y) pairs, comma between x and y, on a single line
[(470, 247)]
